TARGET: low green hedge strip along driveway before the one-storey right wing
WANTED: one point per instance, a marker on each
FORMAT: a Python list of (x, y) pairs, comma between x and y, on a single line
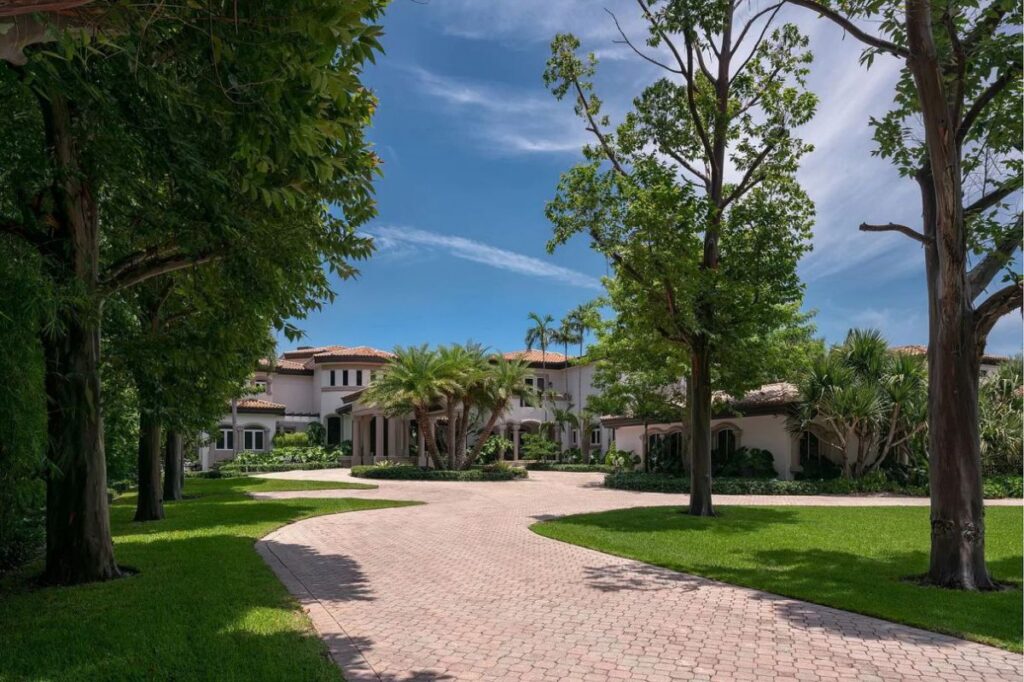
[(1000, 487)]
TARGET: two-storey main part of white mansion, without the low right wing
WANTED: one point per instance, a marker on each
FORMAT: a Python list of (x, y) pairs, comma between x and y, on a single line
[(325, 385)]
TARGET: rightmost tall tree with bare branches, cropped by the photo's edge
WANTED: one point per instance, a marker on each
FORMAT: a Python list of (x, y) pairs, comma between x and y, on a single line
[(956, 130)]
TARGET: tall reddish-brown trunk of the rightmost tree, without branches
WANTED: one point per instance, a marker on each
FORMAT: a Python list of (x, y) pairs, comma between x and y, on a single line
[(958, 557)]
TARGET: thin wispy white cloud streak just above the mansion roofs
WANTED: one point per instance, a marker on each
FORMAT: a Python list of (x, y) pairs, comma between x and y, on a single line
[(406, 241)]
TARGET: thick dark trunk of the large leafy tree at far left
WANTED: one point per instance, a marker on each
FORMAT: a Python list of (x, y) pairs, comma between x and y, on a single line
[(79, 548)]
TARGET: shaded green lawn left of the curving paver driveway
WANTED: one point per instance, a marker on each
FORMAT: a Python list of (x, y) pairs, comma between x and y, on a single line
[(204, 606)]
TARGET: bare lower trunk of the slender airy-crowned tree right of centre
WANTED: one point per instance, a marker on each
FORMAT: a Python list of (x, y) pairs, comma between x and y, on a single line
[(700, 391)]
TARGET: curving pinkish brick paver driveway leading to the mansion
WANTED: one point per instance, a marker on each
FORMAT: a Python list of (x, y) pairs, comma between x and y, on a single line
[(461, 589)]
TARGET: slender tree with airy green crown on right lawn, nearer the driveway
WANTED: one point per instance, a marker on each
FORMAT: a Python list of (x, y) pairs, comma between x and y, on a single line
[(707, 261)]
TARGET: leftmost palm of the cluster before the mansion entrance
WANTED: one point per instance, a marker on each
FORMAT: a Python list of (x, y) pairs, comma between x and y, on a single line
[(414, 381)]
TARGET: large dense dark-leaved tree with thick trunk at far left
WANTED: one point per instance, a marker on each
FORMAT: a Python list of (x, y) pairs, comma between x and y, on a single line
[(137, 120)]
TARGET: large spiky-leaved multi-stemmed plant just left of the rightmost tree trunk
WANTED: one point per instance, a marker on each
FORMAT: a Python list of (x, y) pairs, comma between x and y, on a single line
[(869, 402)]
